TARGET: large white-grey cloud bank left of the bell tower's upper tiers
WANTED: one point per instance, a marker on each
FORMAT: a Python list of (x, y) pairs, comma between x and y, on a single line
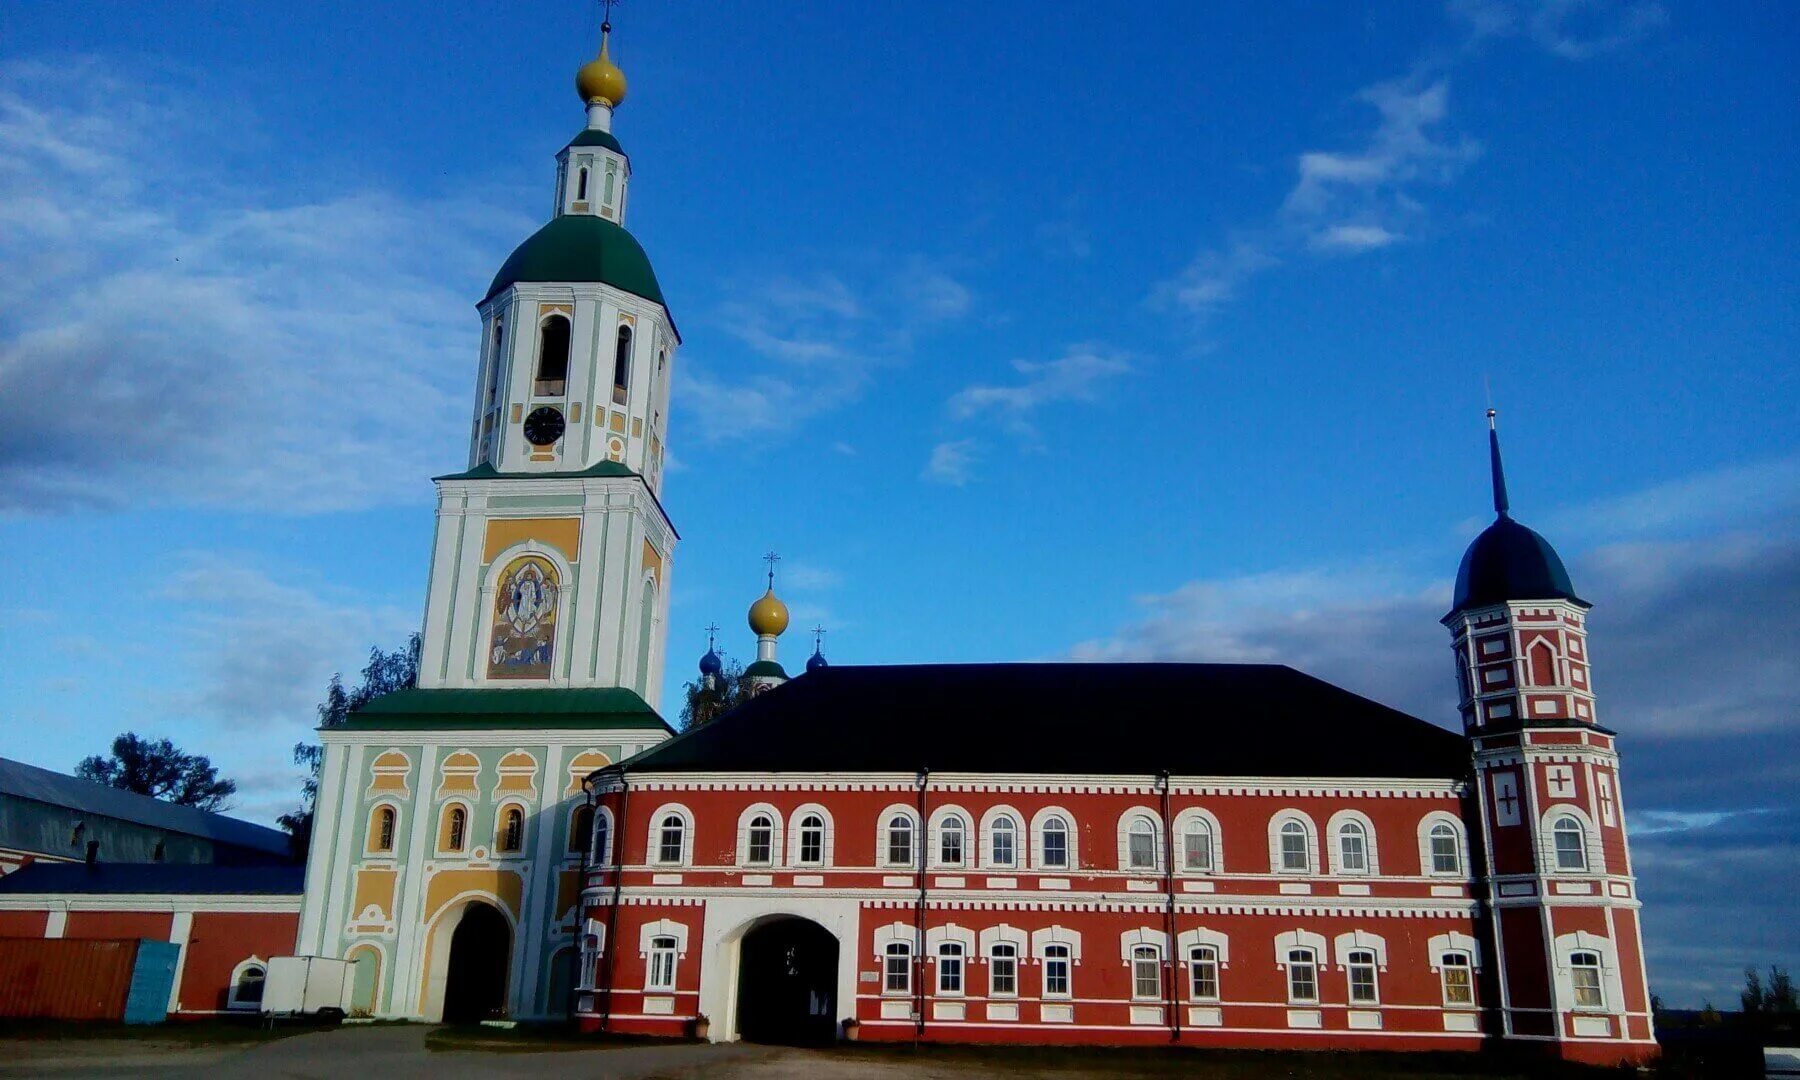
[(177, 337)]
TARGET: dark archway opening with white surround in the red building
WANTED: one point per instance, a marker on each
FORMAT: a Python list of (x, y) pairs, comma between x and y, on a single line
[(787, 984)]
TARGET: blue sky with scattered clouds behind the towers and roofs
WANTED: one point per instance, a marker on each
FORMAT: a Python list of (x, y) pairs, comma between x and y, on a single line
[(1021, 330)]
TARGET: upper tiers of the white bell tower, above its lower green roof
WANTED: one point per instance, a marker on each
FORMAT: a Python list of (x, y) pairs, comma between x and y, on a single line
[(553, 553)]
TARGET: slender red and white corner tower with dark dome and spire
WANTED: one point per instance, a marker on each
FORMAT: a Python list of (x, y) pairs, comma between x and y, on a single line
[(1561, 897)]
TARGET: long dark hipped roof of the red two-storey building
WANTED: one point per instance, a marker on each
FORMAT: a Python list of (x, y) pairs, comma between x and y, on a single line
[(1066, 719)]
